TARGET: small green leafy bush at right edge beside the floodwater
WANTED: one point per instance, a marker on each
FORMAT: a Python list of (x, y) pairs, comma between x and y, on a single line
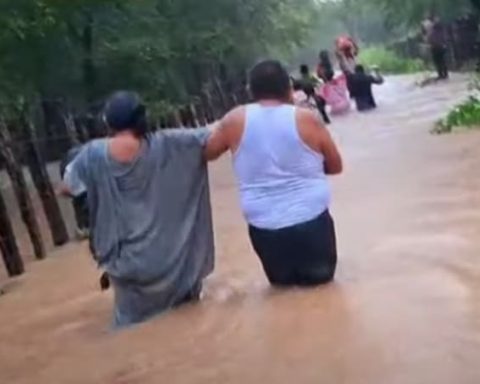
[(464, 116)]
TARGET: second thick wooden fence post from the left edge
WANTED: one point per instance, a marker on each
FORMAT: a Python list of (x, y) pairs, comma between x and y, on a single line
[(20, 187)]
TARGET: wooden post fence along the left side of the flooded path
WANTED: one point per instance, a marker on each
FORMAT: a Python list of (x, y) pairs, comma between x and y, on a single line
[(25, 144)]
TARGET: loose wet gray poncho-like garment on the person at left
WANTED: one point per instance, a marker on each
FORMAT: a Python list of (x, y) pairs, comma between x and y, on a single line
[(151, 220)]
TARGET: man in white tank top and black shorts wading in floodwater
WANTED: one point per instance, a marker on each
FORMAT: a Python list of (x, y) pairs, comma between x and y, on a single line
[(282, 155)]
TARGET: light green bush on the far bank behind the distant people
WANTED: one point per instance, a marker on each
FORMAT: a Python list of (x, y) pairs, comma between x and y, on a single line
[(389, 62)]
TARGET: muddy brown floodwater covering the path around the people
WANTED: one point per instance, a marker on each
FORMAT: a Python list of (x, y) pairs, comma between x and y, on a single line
[(405, 308)]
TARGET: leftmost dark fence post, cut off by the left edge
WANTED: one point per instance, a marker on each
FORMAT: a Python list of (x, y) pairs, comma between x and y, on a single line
[(8, 245)]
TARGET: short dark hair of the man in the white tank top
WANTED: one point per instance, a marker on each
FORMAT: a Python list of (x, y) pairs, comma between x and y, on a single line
[(269, 80)]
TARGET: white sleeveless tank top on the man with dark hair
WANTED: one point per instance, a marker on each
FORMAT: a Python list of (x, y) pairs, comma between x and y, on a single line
[(282, 181)]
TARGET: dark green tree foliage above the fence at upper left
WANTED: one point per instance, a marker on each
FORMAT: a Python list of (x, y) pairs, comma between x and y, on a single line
[(169, 50)]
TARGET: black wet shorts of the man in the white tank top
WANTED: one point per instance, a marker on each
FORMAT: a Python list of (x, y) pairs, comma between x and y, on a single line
[(304, 254)]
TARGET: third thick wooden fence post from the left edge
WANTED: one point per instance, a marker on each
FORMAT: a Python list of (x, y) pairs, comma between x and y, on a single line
[(43, 185)]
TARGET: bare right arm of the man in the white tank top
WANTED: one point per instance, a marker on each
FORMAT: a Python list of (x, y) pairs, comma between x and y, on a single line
[(317, 137)]
